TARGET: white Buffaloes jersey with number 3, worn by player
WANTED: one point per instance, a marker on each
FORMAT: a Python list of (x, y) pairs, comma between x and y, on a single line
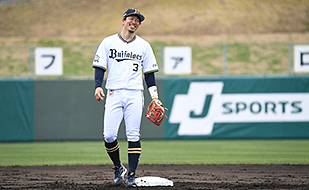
[(125, 62)]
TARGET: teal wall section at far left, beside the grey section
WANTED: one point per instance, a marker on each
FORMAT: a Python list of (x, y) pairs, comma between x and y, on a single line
[(16, 110)]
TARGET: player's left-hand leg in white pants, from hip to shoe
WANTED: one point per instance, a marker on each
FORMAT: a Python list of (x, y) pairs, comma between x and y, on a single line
[(112, 119)]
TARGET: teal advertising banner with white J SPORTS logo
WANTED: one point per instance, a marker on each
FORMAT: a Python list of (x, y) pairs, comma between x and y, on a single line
[(237, 108)]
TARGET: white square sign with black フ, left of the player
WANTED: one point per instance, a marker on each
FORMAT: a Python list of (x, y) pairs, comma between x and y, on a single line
[(48, 61)]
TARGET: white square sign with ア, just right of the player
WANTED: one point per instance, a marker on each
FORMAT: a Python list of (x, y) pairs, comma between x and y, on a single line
[(177, 60)]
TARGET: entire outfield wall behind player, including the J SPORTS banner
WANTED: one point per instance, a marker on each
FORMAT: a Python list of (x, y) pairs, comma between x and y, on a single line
[(198, 108)]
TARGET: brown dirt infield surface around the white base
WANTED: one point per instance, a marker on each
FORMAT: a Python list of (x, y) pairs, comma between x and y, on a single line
[(183, 176)]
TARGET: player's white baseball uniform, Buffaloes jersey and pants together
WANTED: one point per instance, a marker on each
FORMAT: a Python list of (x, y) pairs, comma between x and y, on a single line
[(125, 63)]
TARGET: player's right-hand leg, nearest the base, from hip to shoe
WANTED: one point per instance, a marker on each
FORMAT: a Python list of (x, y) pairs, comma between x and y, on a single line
[(133, 116)]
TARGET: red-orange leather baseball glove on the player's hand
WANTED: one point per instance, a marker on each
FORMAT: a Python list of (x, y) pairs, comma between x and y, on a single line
[(156, 112)]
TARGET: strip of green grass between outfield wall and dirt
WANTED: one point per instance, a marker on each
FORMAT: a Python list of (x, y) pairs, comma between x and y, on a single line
[(160, 152)]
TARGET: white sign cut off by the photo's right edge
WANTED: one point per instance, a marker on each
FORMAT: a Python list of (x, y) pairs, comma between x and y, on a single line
[(301, 58)]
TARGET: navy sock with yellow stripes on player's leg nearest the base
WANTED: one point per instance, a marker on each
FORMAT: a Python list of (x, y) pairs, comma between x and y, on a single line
[(134, 152)]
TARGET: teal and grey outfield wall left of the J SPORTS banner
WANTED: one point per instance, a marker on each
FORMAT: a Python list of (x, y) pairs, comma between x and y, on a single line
[(57, 110)]
